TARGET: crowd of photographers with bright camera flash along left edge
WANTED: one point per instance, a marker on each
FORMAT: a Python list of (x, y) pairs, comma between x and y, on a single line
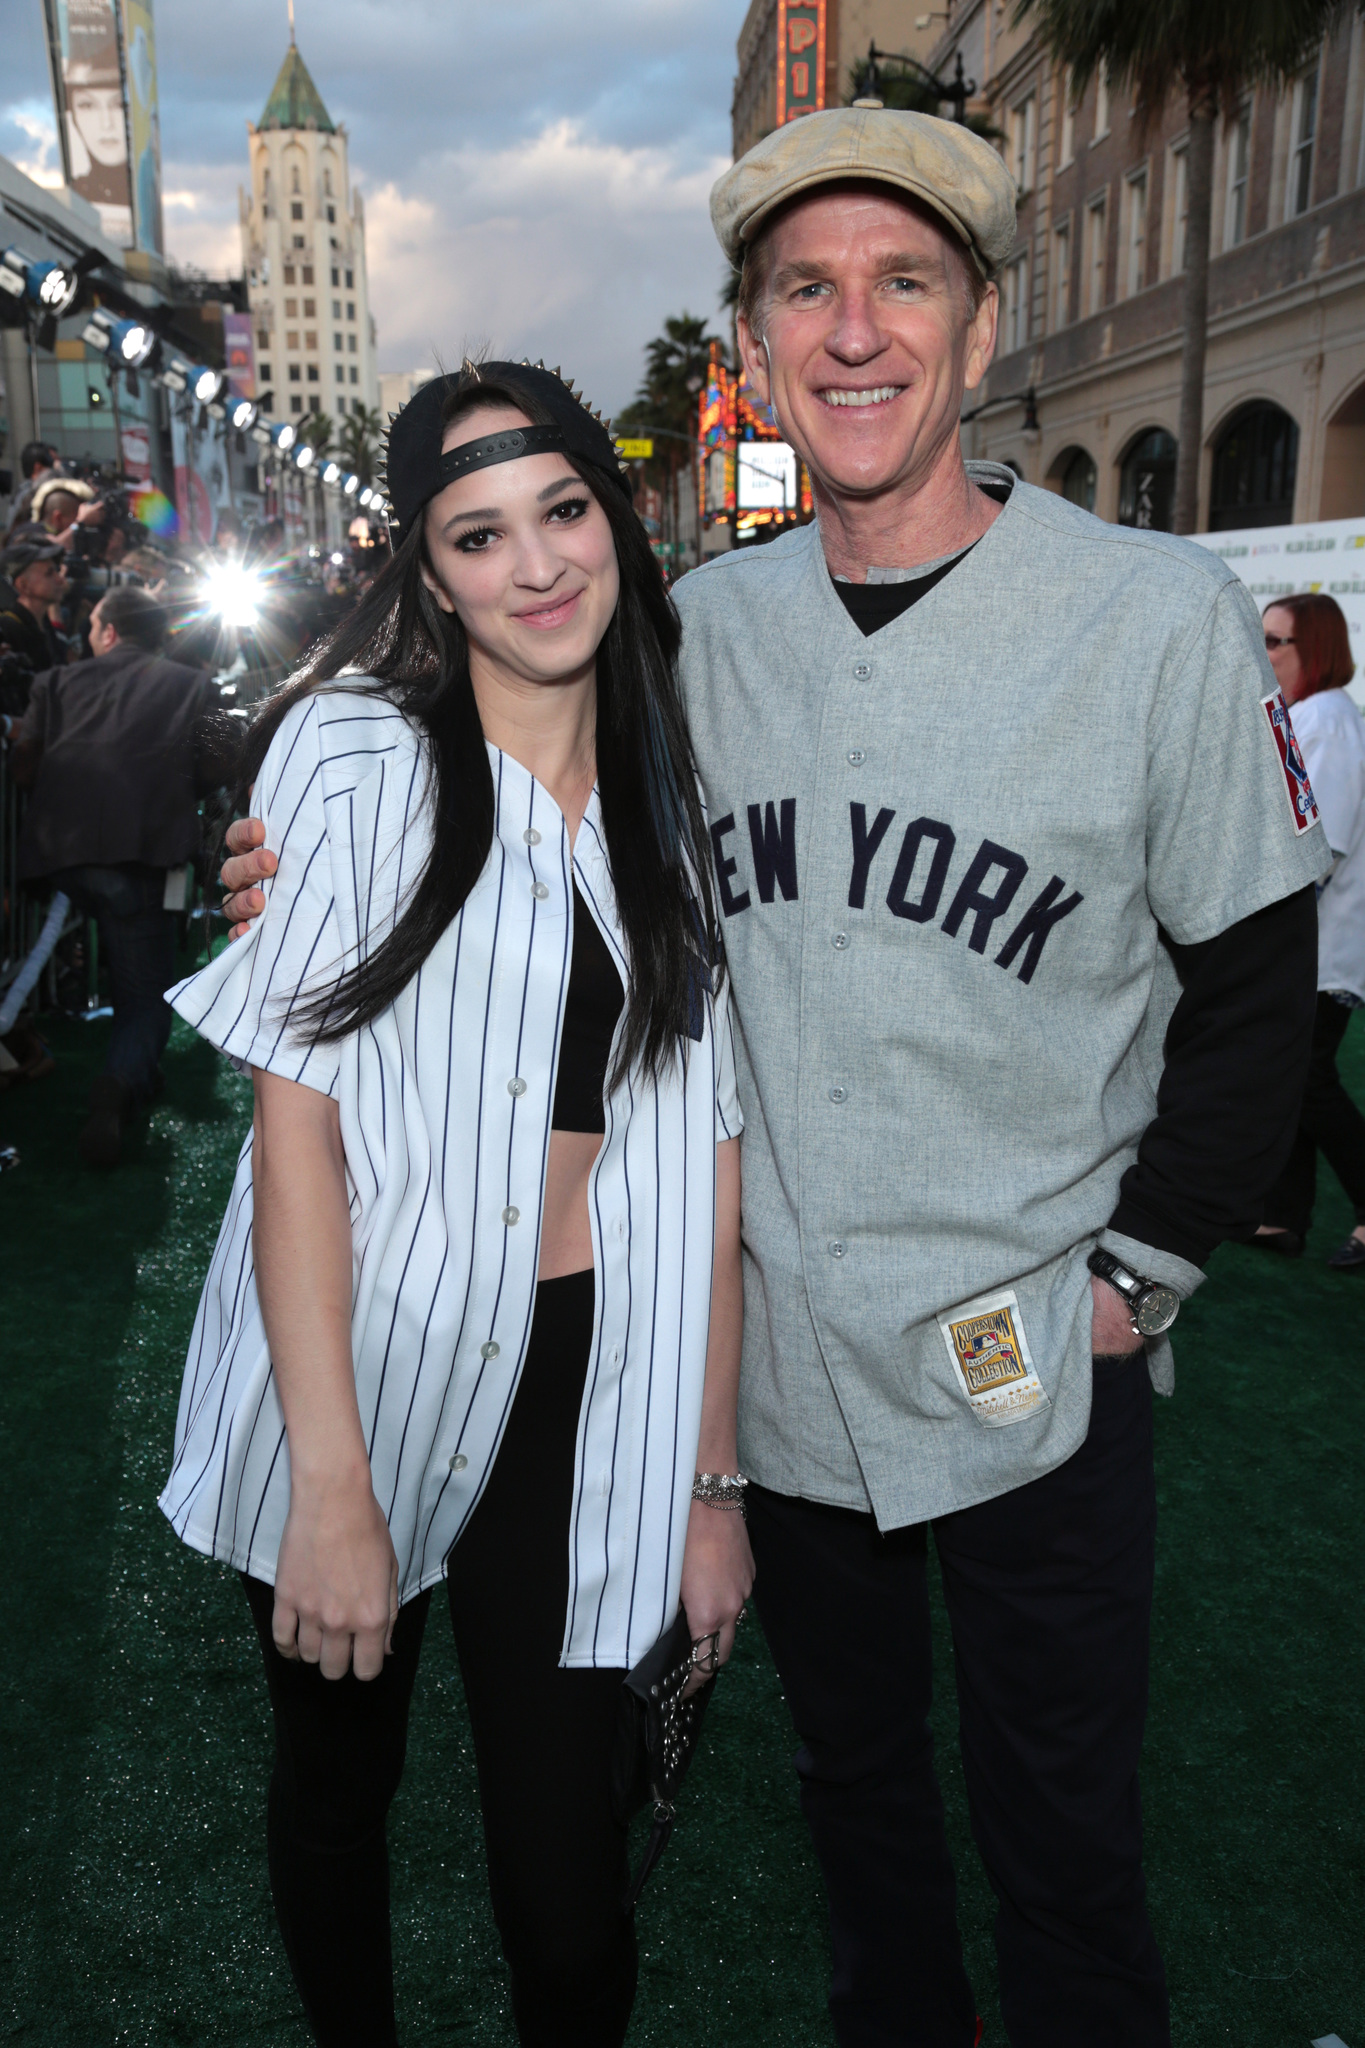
[(126, 663)]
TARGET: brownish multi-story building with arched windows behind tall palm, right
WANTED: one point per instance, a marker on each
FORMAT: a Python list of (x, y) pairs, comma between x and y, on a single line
[(1084, 394)]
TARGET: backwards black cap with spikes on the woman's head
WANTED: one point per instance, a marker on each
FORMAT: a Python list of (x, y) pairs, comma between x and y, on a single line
[(416, 470)]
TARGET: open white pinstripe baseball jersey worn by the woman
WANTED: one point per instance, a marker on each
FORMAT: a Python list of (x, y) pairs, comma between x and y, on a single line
[(445, 1107)]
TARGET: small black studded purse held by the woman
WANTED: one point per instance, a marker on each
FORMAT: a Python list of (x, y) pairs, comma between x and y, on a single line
[(656, 1736)]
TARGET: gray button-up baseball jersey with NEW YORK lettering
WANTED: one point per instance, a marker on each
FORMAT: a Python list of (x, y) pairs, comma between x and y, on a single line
[(946, 855)]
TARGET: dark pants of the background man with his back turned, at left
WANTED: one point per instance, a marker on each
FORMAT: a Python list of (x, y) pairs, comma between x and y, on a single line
[(138, 941)]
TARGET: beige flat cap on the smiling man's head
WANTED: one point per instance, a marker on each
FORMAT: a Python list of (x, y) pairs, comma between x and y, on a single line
[(938, 163)]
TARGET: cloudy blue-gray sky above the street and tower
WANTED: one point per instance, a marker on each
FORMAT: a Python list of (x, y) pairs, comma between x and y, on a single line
[(533, 175)]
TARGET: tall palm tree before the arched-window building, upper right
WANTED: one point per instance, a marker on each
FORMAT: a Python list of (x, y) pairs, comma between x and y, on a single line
[(1210, 52)]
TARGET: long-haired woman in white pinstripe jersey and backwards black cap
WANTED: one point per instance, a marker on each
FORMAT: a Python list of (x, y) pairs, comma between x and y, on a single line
[(476, 1306)]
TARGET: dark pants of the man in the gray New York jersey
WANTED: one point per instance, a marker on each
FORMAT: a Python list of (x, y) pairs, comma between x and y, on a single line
[(1049, 1592)]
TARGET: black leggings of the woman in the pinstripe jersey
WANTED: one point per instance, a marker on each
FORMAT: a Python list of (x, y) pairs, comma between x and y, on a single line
[(543, 1744)]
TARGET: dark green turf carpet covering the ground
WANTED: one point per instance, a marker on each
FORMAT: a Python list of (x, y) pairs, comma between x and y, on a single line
[(134, 1727)]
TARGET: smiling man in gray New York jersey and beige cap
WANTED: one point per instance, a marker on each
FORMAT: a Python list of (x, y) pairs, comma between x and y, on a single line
[(1016, 857)]
